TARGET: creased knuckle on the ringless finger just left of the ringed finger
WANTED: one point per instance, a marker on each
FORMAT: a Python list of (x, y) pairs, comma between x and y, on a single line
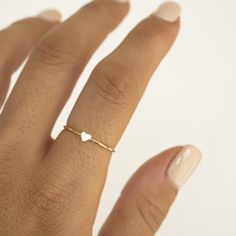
[(57, 49)]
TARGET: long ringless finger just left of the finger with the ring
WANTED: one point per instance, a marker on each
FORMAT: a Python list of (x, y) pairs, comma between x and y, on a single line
[(54, 68)]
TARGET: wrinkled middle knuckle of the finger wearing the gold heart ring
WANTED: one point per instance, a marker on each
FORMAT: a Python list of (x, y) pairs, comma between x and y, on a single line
[(115, 83)]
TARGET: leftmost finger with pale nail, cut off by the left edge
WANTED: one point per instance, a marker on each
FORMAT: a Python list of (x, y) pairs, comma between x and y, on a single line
[(17, 41)]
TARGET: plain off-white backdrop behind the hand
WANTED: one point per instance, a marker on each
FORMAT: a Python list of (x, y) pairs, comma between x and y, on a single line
[(190, 99)]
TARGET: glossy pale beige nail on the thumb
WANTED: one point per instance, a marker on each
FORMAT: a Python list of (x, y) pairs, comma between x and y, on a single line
[(184, 165)]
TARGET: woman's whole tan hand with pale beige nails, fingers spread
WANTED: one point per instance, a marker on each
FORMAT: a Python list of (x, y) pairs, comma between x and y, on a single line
[(53, 187)]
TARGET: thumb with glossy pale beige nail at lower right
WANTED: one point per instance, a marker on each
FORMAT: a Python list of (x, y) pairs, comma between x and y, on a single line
[(146, 199)]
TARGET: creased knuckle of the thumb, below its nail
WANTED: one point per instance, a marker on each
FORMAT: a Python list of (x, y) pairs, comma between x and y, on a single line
[(152, 209)]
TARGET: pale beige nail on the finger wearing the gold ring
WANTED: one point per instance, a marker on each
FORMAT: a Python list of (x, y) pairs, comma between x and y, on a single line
[(168, 11)]
